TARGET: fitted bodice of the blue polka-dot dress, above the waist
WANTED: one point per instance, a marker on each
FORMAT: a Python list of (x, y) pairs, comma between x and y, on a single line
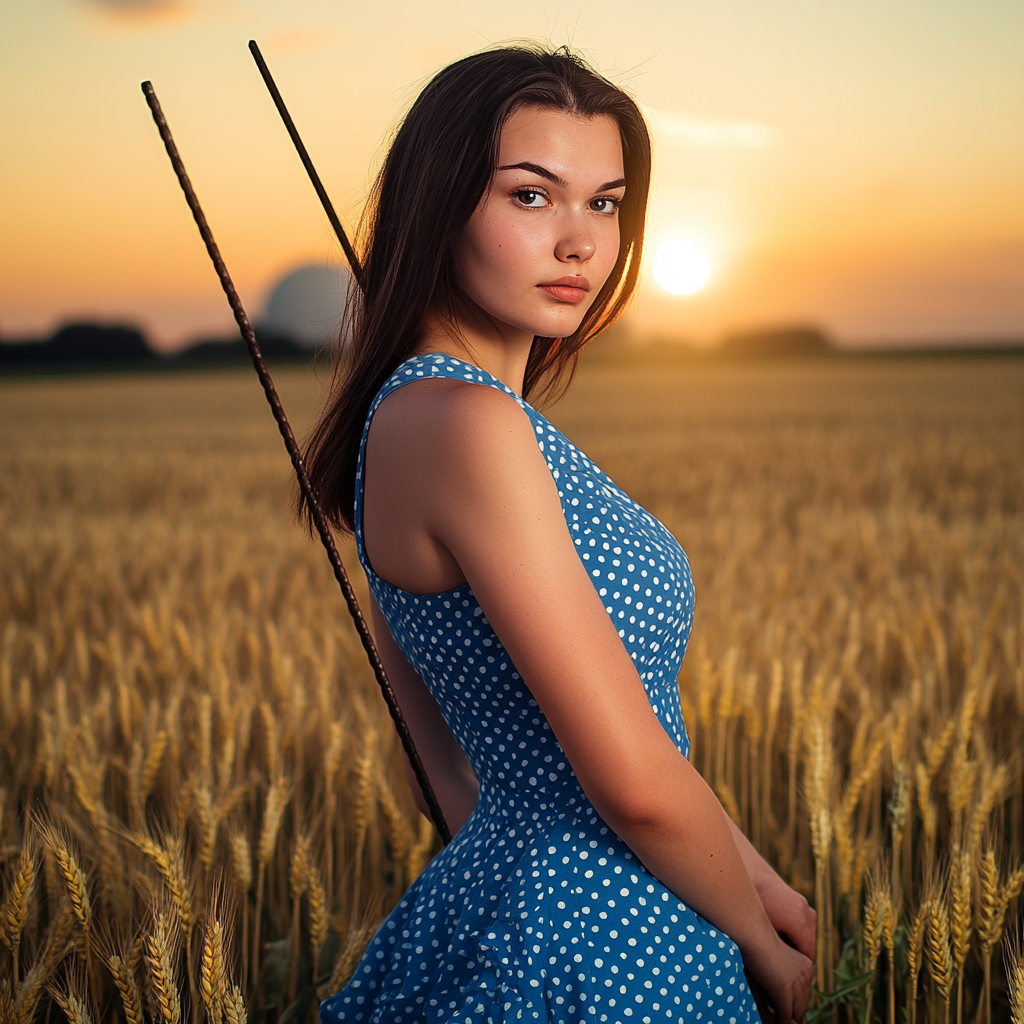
[(636, 566)]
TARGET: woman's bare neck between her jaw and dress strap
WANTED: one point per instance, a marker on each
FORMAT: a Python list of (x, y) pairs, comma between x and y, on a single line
[(499, 349)]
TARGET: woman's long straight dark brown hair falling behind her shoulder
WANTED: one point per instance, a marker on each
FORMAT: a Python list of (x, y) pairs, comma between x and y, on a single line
[(438, 169)]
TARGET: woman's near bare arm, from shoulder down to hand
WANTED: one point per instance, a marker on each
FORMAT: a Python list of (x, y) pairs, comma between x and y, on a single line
[(479, 488)]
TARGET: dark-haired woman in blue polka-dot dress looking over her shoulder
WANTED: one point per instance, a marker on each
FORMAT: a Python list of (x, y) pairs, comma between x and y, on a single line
[(532, 617)]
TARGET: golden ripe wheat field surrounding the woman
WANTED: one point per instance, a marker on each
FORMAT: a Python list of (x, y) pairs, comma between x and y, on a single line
[(202, 808)]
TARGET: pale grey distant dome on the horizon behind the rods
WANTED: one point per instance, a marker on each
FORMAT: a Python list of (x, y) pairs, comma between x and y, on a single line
[(307, 305)]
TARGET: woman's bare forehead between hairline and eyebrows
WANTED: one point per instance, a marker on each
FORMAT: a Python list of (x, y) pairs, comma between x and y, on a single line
[(562, 142)]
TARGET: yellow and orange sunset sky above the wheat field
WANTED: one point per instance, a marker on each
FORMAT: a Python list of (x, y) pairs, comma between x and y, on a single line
[(860, 167)]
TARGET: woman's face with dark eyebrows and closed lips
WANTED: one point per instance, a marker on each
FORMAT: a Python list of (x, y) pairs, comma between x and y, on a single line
[(545, 237)]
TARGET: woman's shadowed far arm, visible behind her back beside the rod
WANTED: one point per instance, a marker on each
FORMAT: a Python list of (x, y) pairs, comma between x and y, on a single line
[(447, 765)]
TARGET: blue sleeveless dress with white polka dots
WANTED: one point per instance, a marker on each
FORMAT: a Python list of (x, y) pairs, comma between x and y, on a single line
[(537, 911)]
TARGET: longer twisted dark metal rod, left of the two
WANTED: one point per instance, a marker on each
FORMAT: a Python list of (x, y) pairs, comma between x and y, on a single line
[(298, 464)]
